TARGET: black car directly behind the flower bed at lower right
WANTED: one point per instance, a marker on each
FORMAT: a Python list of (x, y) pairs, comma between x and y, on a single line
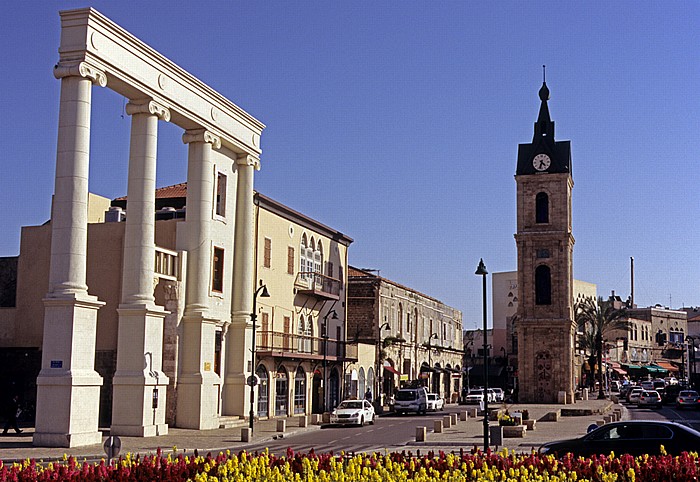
[(635, 437)]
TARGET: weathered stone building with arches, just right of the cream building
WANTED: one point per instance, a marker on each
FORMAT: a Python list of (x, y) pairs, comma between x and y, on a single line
[(417, 338)]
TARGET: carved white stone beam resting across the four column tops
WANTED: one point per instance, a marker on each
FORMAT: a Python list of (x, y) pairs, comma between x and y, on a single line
[(115, 58)]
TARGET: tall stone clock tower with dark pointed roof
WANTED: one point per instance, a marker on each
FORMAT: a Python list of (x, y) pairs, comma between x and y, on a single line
[(544, 318)]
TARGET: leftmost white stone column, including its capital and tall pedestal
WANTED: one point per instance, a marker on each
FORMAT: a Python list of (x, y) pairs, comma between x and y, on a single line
[(68, 388)]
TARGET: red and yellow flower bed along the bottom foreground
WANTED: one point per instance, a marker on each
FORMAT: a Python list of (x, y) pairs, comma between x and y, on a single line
[(311, 467)]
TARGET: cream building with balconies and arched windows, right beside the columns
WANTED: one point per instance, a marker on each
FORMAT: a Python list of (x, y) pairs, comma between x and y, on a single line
[(301, 339)]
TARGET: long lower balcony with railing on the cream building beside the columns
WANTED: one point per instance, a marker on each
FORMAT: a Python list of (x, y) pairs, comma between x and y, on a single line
[(286, 345)]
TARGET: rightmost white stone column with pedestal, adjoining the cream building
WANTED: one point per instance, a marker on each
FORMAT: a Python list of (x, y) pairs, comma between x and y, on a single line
[(238, 342)]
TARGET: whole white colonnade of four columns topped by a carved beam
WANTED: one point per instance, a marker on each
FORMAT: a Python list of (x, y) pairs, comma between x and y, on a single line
[(68, 385)]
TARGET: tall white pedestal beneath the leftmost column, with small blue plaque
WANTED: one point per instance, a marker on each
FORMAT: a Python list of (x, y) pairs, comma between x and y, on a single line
[(68, 387)]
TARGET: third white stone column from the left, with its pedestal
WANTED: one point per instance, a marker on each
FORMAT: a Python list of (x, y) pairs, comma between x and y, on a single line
[(198, 384)]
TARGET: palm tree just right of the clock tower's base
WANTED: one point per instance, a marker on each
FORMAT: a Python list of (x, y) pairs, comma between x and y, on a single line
[(598, 320)]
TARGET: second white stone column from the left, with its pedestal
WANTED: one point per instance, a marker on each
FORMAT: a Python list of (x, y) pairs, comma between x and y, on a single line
[(139, 380)]
